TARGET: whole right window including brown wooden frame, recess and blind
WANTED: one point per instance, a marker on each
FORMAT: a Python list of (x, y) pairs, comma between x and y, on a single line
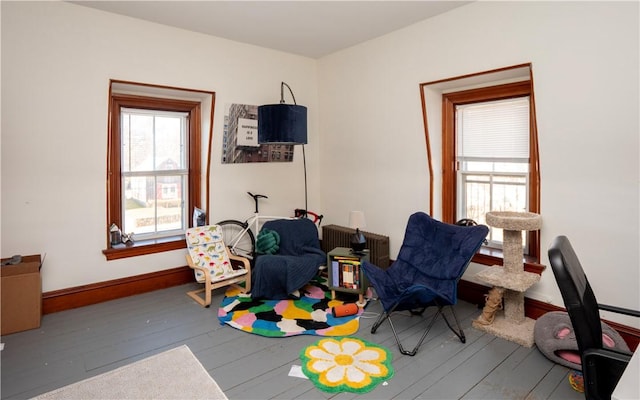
[(489, 150)]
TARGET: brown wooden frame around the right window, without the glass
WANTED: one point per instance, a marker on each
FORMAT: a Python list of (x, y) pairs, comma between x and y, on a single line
[(498, 92)]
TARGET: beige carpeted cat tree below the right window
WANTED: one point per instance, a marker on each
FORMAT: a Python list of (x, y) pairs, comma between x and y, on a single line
[(510, 281)]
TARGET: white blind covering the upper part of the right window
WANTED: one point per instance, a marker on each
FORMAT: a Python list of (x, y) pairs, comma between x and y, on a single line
[(493, 130)]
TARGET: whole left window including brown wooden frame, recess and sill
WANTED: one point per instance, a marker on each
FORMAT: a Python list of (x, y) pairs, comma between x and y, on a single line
[(154, 178)]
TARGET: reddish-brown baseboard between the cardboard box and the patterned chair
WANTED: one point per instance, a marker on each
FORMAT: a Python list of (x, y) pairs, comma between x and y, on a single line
[(80, 296)]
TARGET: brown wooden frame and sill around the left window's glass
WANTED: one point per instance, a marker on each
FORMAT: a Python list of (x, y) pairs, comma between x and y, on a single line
[(114, 206)]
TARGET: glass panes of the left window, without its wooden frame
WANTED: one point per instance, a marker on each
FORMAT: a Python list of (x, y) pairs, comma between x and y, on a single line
[(154, 173)]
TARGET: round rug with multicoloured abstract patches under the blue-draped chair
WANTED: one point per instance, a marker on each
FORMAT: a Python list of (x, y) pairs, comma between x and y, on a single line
[(308, 315)]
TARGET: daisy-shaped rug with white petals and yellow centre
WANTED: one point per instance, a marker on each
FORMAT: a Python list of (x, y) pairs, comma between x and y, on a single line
[(346, 364)]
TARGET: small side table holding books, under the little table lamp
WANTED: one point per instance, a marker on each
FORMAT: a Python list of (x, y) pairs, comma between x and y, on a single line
[(346, 274)]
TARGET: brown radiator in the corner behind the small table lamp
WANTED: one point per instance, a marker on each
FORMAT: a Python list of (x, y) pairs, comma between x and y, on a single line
[(339, 236)]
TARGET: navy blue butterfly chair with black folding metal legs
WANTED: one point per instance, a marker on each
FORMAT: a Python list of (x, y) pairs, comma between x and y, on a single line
[(433, 257)]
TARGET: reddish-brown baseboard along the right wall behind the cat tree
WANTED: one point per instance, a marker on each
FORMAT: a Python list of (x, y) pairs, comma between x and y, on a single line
[(474, 293)]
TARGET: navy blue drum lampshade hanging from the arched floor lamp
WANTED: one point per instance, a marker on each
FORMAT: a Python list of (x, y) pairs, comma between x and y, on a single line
[(282, 124)]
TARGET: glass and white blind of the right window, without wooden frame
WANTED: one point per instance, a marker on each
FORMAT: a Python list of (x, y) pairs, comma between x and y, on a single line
[(492, 160)]
